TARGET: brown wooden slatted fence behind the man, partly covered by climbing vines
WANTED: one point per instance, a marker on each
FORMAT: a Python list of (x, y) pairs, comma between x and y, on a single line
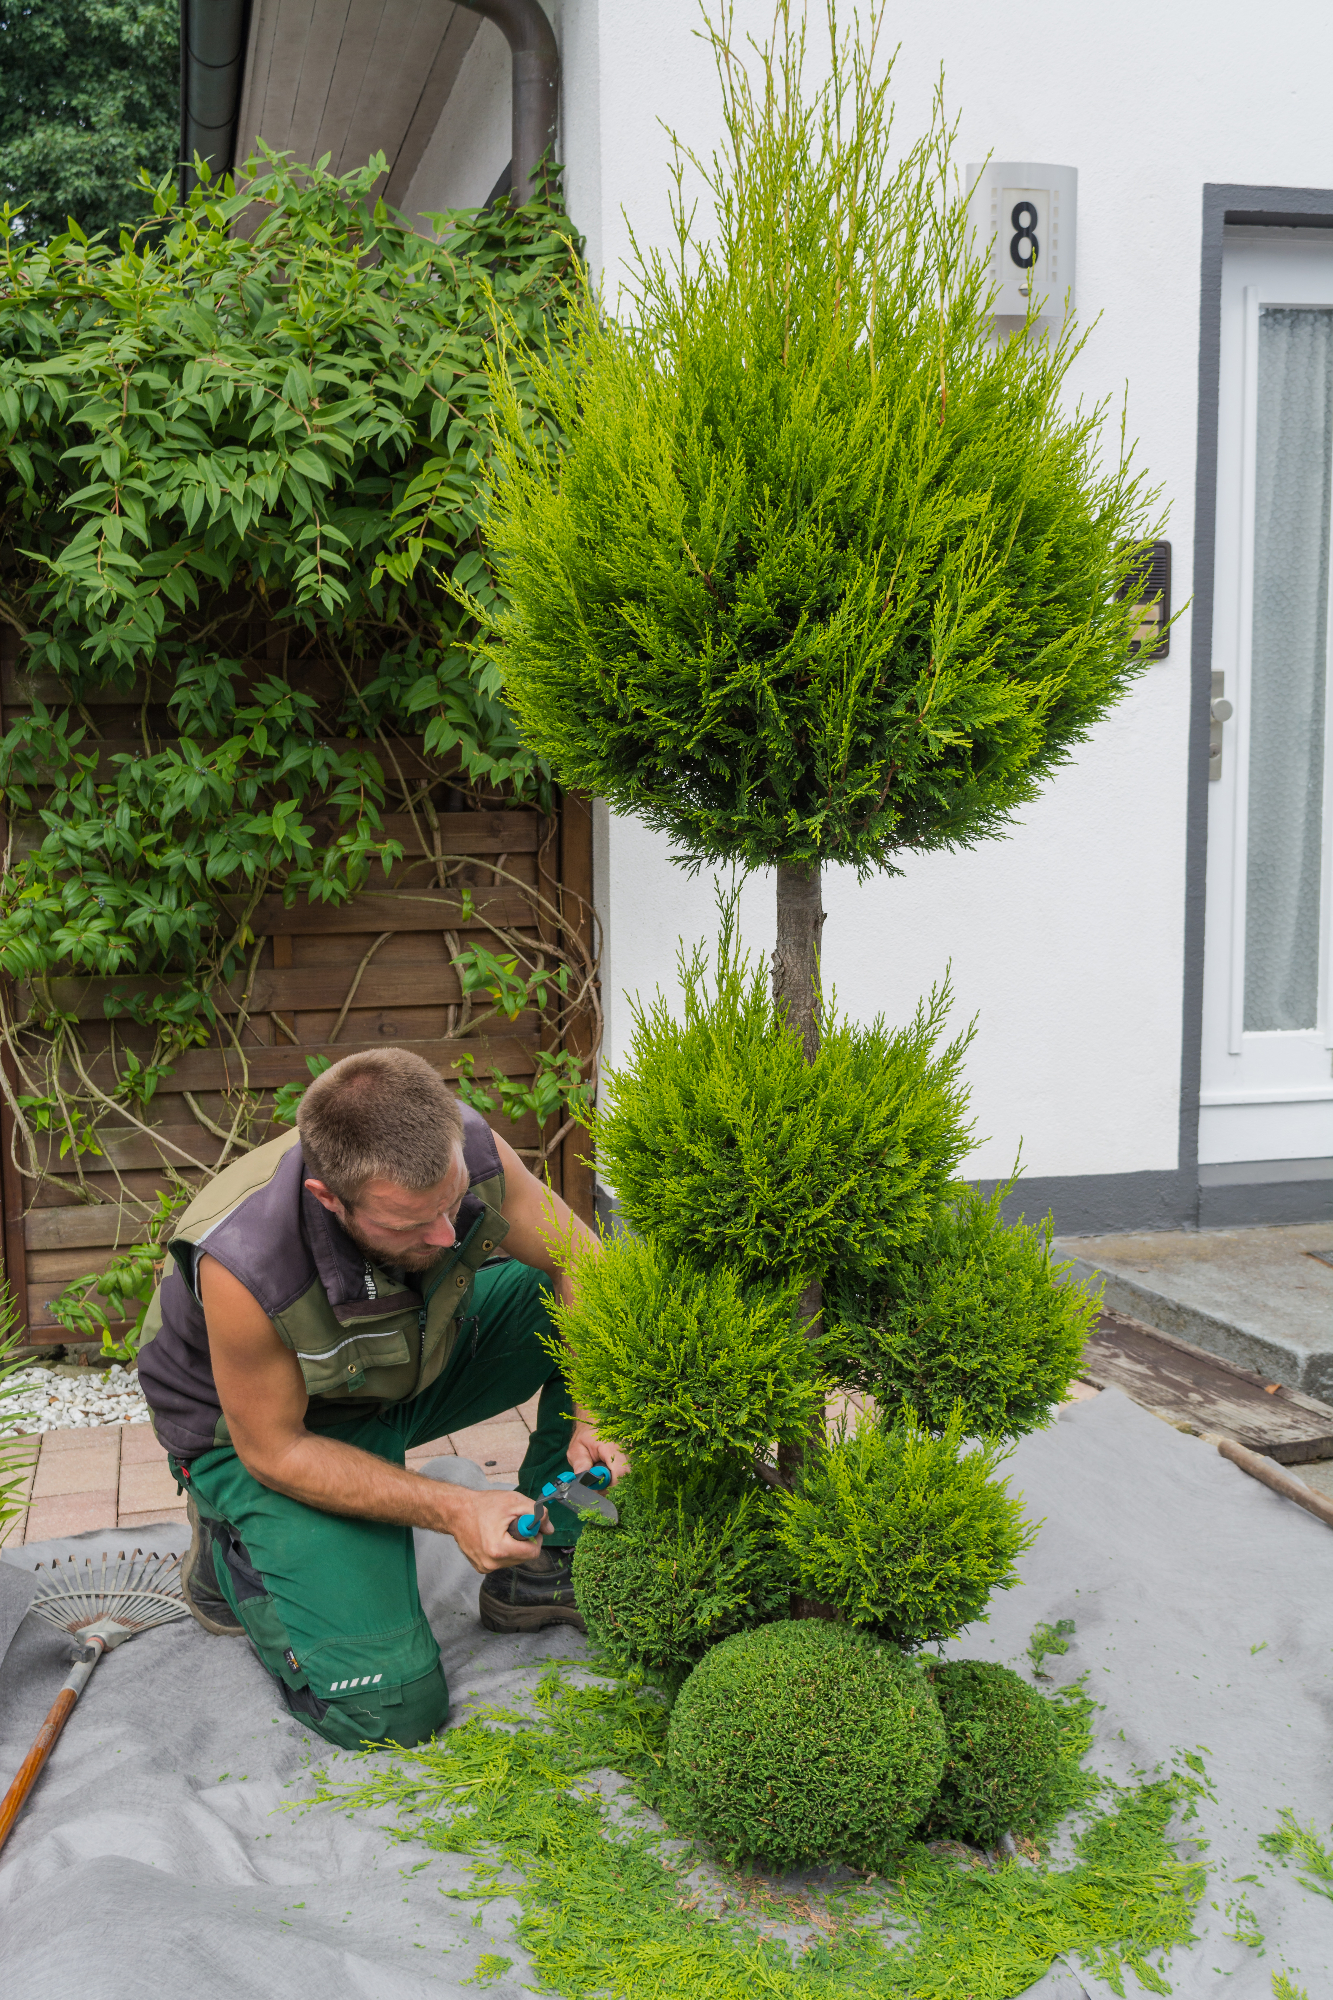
[(327, 981)]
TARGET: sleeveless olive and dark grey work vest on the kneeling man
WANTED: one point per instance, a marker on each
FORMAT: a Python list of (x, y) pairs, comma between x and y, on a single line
[(361, 1335)]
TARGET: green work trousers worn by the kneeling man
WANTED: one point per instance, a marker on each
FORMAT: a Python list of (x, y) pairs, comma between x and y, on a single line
[(329, 1603)]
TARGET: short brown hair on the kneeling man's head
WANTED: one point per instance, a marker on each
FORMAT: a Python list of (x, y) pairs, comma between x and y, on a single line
[(381, 1115)]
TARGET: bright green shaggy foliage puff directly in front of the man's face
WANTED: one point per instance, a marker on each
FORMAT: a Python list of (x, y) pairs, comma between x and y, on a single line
[(684, 1367)]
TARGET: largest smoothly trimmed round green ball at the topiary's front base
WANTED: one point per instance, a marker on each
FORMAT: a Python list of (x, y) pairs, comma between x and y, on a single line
[(808, 1741)]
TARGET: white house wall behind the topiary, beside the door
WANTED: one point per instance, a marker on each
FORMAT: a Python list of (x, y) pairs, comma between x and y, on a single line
[(1066, 939)]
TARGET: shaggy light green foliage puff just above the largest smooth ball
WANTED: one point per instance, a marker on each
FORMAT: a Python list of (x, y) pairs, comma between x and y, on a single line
[(904, 1533)]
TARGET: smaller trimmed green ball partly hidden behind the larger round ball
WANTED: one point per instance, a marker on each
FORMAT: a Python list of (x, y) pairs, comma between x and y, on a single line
[(1004, 1745)]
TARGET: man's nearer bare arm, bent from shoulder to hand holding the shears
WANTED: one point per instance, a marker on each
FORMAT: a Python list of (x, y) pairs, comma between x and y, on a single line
[(265, 1405)]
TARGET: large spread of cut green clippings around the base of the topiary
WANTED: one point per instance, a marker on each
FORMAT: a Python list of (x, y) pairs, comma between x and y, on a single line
[(609, 1911)]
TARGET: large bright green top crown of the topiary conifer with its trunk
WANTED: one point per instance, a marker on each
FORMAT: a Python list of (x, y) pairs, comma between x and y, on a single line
[(818, 573)]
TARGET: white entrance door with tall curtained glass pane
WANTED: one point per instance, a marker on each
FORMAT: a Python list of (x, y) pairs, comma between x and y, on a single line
[(1268, 983)]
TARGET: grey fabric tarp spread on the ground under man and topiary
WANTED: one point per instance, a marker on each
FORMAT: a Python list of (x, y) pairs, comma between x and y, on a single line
[(155, 1859)]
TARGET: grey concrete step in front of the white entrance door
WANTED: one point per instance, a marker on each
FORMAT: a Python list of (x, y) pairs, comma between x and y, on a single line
[(1260, 1297)]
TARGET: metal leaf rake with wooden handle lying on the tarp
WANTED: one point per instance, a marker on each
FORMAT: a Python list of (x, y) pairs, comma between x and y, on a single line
[(99, 1609)]
